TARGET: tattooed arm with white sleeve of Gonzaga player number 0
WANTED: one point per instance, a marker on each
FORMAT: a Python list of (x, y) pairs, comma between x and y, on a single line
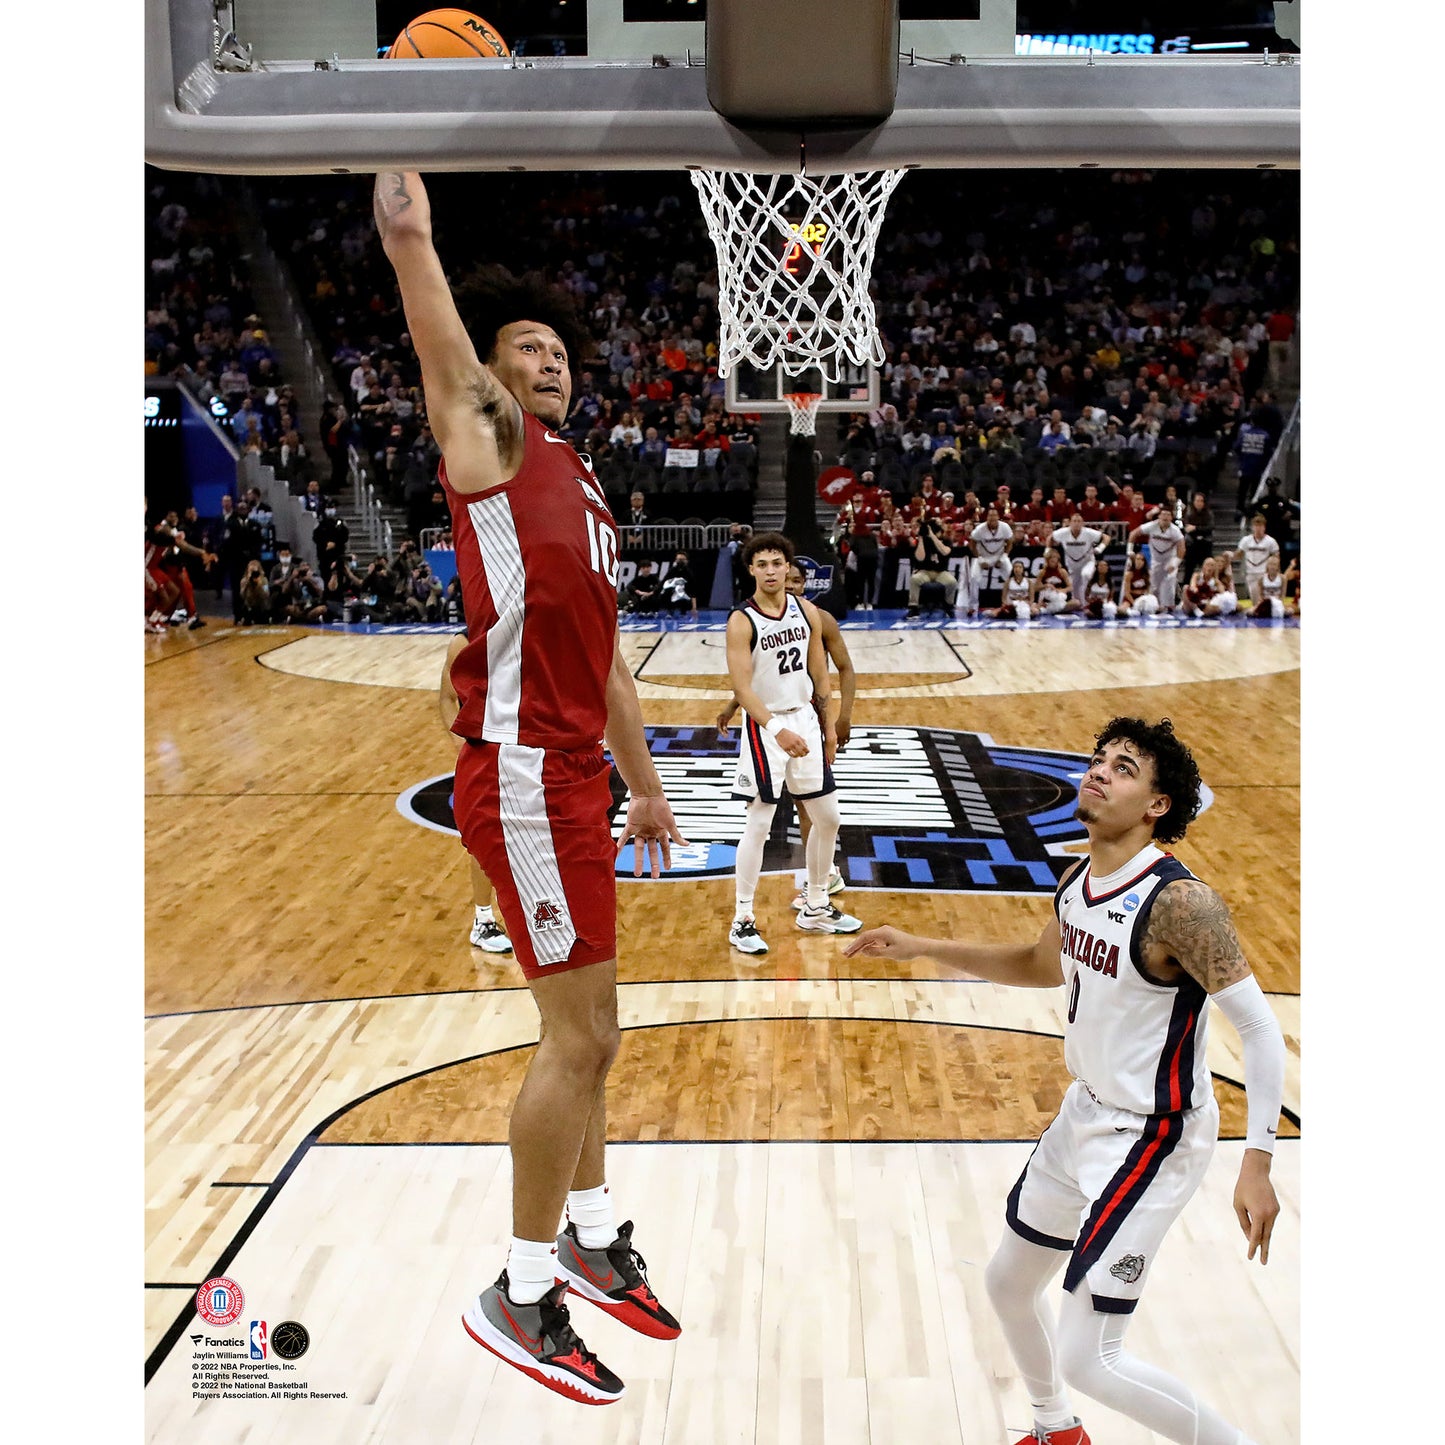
[(1193, 924)]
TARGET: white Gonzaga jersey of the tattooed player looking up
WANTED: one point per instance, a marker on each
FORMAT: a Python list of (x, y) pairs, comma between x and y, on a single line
[(1134, 1044)]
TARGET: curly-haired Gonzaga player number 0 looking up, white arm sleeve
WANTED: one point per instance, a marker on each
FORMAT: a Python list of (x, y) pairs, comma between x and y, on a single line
[(1145, 949)]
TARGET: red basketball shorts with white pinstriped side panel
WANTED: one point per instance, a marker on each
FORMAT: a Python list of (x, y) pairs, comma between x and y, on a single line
[(537, 823)]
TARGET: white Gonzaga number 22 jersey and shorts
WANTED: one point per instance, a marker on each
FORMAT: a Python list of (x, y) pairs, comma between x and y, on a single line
[(785, 687)]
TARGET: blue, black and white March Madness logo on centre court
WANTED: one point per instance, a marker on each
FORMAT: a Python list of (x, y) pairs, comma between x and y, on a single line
[(923, 808)]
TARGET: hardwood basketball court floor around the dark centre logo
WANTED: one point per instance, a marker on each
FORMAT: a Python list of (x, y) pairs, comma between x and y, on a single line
[(816, 1149)]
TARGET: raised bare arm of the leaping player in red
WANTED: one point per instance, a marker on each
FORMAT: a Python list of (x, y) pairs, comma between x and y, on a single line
[(476, 421)]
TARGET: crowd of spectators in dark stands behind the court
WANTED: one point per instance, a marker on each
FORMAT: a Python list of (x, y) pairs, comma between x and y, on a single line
[(1077, 343)]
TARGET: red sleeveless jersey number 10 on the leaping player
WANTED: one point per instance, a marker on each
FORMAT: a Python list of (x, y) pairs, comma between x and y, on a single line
[(538, 566)]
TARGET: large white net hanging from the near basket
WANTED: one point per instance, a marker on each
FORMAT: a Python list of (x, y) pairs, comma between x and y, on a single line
[(795, 255)]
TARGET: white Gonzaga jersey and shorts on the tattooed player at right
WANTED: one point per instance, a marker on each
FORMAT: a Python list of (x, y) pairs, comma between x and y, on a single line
[(1135, 1135)]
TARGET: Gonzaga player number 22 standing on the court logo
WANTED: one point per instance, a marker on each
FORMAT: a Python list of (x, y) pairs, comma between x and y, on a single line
[(780, 673)]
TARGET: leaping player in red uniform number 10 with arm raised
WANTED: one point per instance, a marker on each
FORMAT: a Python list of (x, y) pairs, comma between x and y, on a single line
[(540, 684)]
